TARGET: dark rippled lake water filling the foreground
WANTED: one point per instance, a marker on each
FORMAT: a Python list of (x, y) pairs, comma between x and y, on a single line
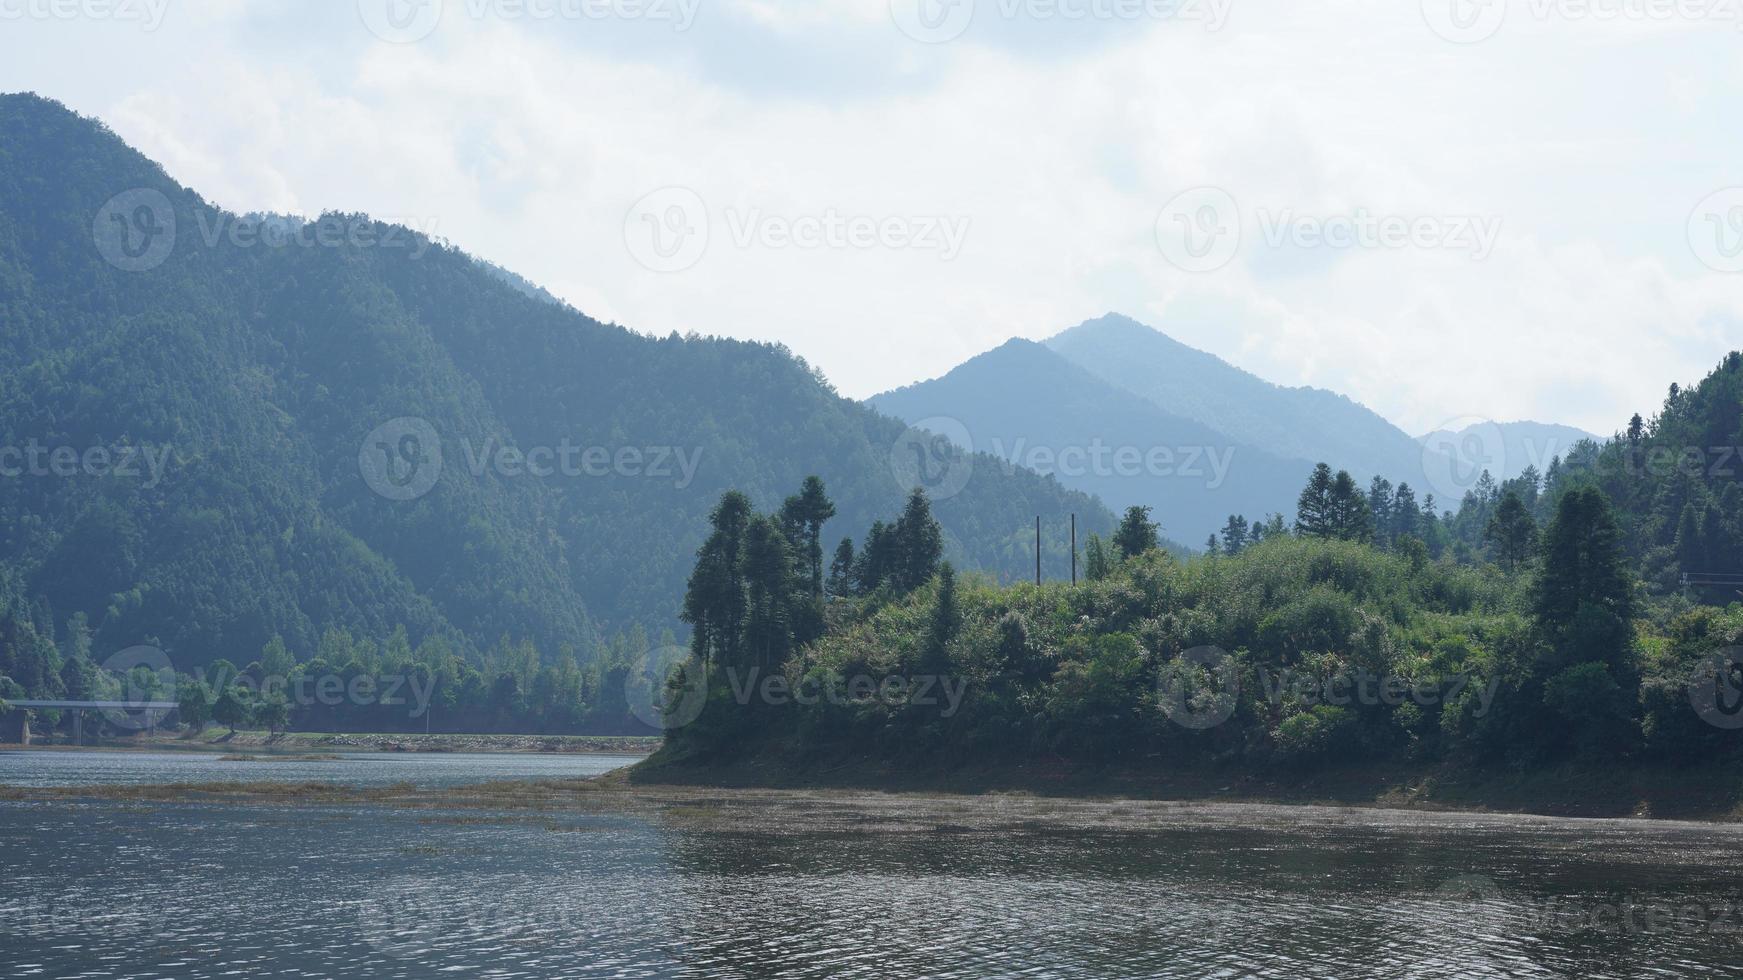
[(724, 885)]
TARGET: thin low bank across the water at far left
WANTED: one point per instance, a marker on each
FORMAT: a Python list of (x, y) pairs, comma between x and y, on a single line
[(301, 744)]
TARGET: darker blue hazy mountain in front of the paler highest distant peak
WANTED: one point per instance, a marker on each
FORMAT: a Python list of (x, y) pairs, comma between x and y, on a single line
[(1033, 407)]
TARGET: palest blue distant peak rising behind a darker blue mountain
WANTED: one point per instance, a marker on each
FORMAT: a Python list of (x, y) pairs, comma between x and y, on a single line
[(1289, 423)]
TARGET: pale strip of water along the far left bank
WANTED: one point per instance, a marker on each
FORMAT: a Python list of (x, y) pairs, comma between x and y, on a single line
[(50, 768)]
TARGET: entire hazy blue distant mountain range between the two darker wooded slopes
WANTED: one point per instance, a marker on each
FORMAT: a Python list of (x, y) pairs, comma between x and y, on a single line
[(1202, 439)]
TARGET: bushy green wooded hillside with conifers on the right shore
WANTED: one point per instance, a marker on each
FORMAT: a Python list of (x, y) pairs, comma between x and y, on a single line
[(1585, 613)]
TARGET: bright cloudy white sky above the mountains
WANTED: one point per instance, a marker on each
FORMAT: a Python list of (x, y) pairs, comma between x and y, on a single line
[(1442, 210)]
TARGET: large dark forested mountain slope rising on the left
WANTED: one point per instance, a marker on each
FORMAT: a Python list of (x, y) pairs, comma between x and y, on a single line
[(295, 391)]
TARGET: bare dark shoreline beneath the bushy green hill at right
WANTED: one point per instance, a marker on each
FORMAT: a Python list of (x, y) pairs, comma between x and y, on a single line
[(1709, 793)]
